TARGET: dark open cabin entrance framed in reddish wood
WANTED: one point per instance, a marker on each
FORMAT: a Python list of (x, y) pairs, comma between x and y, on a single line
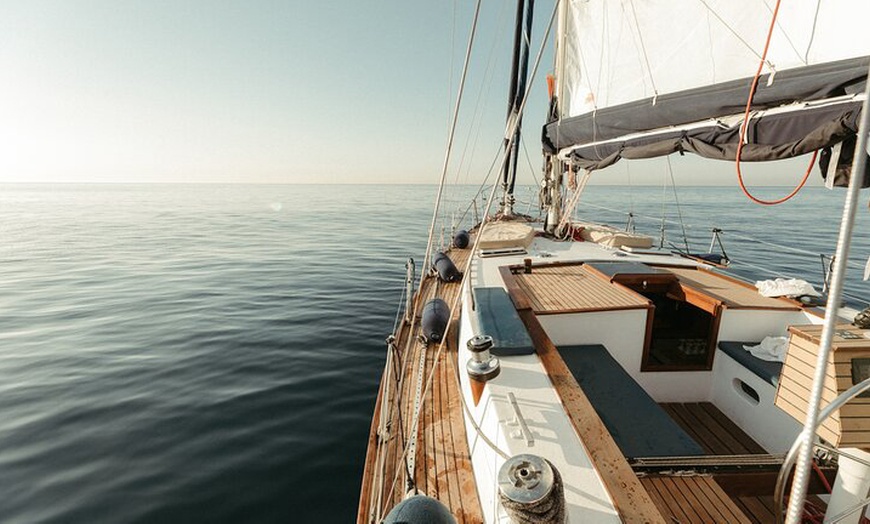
[(681, 335)]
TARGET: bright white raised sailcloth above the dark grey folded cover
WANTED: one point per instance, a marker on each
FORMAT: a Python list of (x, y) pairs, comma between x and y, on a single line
[(622, 51)]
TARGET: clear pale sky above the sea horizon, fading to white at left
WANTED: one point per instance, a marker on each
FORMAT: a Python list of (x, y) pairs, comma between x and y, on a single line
[(261, 91)]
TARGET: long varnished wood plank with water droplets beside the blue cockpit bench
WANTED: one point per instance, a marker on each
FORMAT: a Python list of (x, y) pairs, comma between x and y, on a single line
[(631, 500)]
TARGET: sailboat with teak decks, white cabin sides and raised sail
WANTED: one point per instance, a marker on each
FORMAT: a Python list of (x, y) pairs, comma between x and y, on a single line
[(574, 372)]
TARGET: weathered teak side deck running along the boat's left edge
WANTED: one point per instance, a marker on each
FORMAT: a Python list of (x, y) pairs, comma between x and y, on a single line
[(443, 464)]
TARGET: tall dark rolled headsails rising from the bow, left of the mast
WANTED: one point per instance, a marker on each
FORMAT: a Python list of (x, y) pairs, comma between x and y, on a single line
[(519, 77)]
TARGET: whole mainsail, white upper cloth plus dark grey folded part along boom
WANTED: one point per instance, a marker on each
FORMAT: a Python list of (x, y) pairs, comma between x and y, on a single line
[(645, 78)]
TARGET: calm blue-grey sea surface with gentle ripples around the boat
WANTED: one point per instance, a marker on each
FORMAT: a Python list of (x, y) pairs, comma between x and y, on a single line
[(212, 353)]
